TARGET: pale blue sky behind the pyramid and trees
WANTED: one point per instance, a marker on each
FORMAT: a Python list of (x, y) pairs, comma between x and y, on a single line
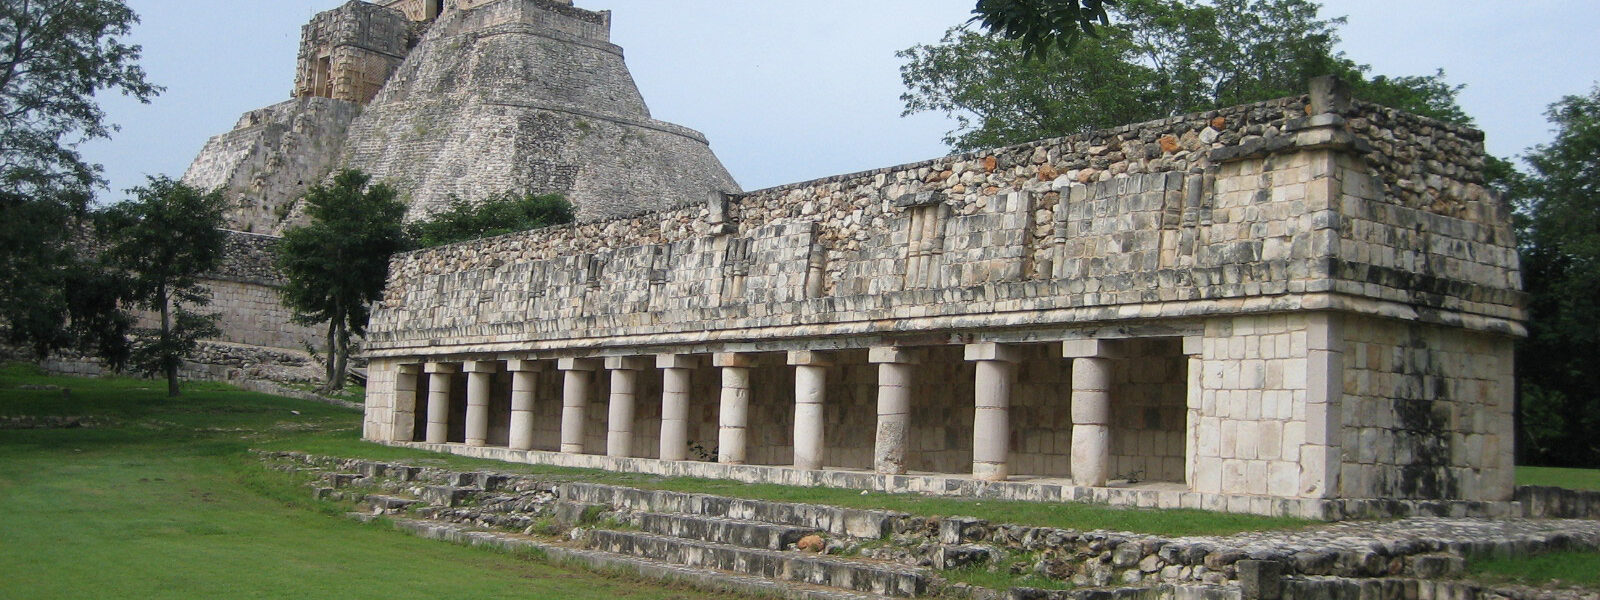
[(796, 90)]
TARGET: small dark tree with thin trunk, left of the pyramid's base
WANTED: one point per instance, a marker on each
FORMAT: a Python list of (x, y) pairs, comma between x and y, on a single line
[(164, 242)]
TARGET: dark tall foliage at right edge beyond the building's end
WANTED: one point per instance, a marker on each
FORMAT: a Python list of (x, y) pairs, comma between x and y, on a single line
[(1559, 217)]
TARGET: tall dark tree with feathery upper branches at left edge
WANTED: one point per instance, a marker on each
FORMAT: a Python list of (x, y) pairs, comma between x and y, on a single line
[(55, 57)]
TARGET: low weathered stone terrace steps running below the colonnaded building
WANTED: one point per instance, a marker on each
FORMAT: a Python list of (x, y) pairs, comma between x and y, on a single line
[(823, 553)]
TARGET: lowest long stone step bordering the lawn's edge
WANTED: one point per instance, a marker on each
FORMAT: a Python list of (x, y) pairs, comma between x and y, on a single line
[(641, 567)]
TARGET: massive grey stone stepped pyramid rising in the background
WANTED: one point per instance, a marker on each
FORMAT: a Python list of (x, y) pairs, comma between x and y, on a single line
[(460, 98)]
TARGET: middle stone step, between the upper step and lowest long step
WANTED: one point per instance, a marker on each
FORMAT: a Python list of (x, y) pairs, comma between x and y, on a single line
[(820, 570)]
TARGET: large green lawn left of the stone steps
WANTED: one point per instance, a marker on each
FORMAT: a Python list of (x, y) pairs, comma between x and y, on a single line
[(161, 500)]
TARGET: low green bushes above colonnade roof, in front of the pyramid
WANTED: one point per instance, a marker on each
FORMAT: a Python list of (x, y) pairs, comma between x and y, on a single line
[(498, 215)]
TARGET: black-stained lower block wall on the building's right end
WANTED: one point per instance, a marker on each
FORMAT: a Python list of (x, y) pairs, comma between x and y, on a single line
[(1428, 412)]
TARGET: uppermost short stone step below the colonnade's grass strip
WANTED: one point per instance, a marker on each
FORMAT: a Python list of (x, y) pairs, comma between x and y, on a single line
[(836, 521)]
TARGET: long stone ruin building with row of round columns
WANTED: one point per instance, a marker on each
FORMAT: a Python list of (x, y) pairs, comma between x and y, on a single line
[(1295, 308)]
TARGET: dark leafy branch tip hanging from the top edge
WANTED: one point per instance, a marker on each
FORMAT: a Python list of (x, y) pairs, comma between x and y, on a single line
[(1041, 26)]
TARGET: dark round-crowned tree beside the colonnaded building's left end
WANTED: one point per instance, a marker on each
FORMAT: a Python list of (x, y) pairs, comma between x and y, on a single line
[(337, 266)]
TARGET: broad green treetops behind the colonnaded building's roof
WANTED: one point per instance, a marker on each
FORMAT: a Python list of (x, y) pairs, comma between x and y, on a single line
[(1156, 60)]
